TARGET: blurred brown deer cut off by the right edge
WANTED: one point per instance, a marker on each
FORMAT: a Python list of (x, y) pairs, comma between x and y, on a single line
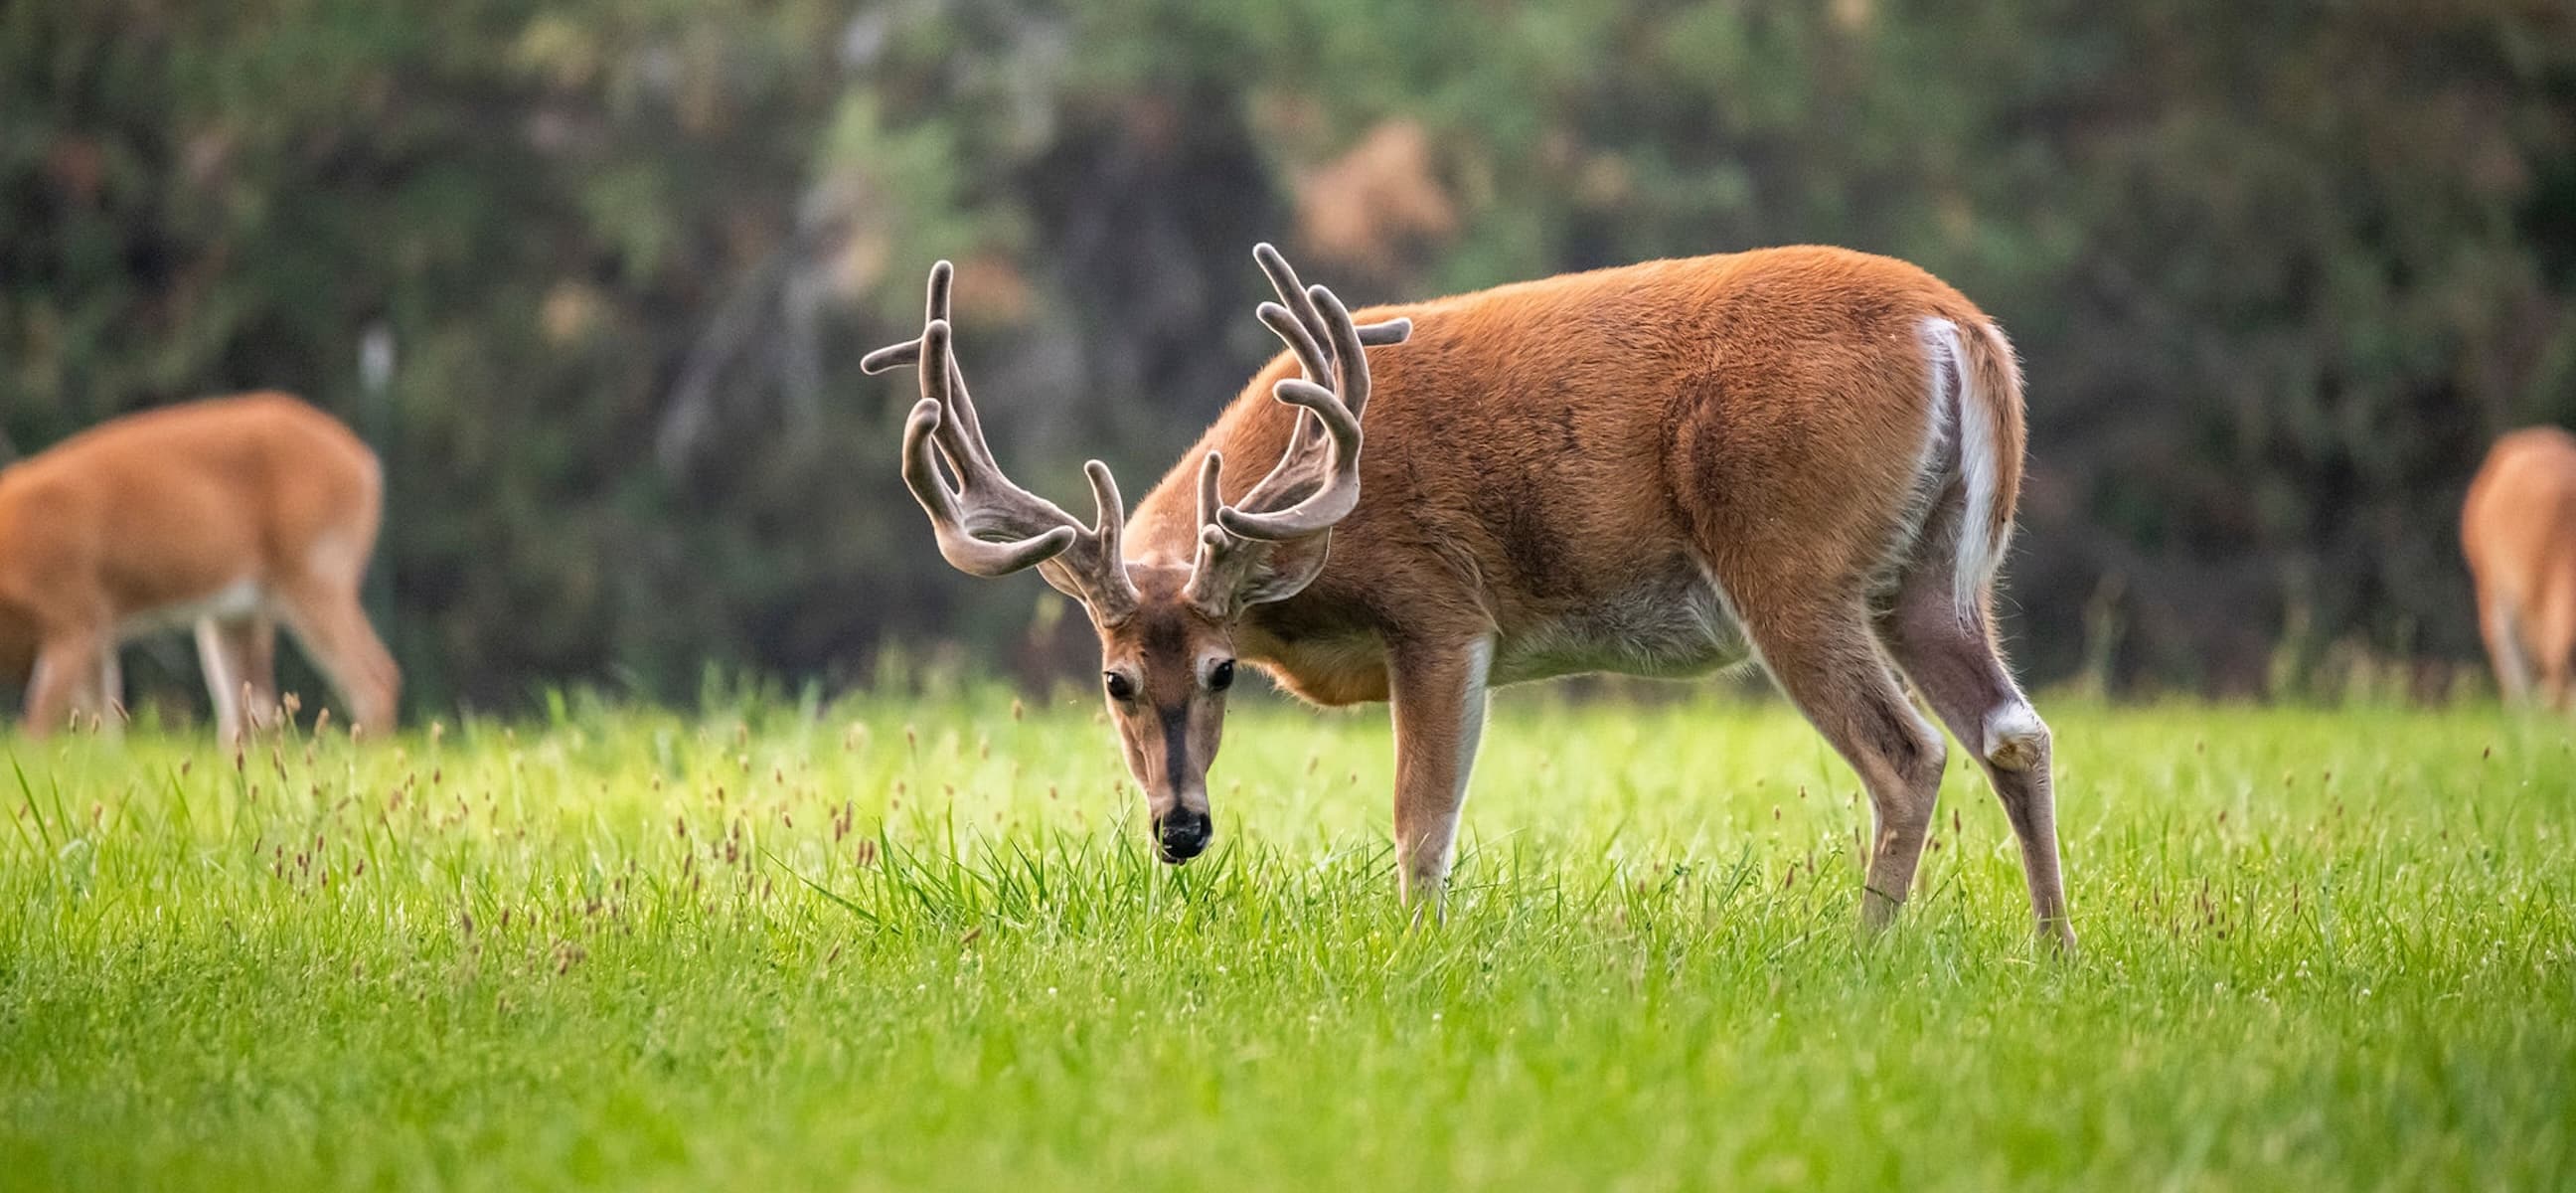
[(2521, 537)]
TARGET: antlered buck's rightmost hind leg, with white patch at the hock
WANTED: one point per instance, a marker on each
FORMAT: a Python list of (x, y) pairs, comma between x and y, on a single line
[(1956, 666)]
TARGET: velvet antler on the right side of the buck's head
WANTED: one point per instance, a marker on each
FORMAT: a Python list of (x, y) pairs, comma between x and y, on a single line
[(1318, 481)]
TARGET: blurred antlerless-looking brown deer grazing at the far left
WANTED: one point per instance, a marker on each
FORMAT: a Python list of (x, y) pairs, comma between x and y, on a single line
[(228, 514)]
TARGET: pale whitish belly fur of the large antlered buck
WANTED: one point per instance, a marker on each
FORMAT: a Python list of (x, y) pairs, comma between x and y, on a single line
[(1668, 625)]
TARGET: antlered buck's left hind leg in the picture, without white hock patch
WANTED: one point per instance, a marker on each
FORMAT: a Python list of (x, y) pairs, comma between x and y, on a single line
[(1838, 676)]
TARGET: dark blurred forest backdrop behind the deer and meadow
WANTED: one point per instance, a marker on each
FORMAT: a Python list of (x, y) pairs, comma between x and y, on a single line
[(596, 277)]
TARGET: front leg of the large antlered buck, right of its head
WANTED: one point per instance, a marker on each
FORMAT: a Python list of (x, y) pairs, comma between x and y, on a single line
[(1439, 707)]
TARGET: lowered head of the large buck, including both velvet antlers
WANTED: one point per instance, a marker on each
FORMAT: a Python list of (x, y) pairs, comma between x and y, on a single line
[(1166, 625)]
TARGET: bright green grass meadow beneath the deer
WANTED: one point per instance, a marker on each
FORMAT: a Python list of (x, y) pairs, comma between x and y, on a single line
[(921, 947)]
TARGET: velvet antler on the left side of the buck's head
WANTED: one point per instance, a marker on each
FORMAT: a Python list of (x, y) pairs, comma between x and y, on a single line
[(988, 524)]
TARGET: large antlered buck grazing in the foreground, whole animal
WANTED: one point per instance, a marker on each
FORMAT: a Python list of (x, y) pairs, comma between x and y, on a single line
[(1797, 455)]
